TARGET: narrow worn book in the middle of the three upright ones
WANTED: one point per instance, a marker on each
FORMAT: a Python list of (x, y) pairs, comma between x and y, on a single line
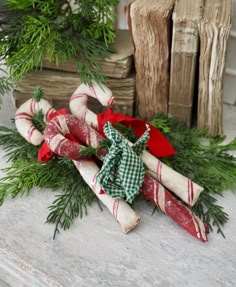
[(184, 52)]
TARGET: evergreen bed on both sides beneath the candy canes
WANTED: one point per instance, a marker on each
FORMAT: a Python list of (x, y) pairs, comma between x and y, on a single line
[(208, 162)]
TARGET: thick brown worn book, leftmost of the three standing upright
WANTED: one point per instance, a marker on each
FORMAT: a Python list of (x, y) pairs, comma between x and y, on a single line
[(149, 23)]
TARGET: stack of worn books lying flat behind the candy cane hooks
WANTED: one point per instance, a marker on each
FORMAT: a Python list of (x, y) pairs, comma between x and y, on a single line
[(59, 82)]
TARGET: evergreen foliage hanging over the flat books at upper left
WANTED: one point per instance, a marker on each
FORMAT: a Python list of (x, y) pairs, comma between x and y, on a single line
[(31, 30)]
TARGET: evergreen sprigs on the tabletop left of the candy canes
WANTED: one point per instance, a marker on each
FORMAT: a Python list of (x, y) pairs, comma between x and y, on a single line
[(22, 176)]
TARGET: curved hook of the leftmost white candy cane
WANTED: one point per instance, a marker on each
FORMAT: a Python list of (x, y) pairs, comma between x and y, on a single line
[(24, 116)]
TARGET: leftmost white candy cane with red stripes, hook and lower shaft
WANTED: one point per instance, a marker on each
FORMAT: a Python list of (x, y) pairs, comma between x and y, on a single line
[(124, 214)]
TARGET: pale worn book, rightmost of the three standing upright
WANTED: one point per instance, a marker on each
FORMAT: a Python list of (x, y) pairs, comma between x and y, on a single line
[(214, 32)]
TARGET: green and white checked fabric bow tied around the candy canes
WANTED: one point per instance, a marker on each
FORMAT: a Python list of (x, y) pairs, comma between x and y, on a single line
[(122, 173)]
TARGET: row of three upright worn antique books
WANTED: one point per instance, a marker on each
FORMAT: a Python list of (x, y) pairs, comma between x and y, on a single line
[(180, 49)]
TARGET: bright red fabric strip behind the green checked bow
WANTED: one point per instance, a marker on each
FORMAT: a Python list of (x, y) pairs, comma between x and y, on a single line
[(158, 145)]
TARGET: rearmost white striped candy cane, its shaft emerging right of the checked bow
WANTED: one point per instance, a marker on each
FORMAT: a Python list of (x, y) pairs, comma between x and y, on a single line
[(183, 187)]
